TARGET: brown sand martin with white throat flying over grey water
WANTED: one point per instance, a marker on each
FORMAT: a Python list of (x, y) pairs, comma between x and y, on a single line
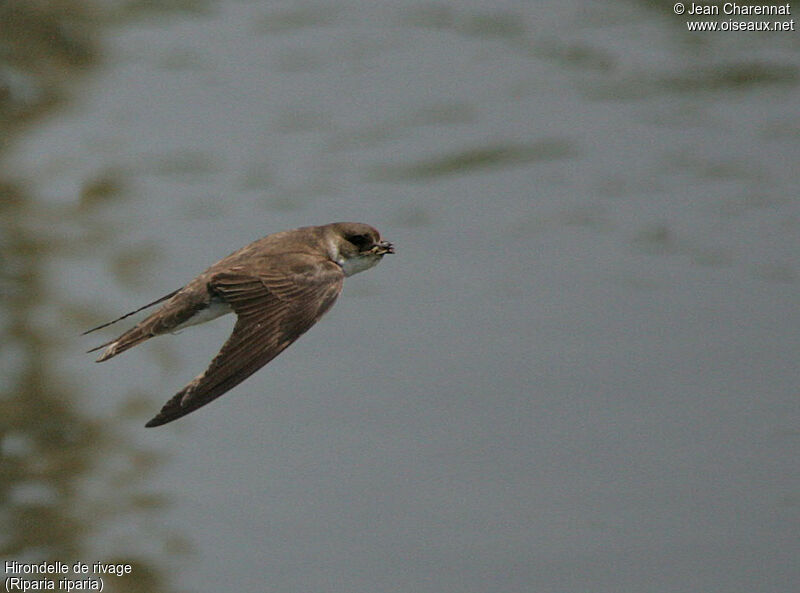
[(278, 286)]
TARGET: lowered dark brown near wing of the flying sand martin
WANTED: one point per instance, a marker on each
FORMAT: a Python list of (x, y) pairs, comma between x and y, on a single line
[(273, 311)]
